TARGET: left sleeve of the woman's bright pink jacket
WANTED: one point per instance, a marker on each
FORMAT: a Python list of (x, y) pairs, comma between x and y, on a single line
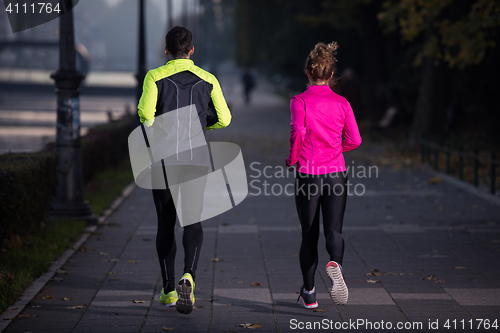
[(298, 129)]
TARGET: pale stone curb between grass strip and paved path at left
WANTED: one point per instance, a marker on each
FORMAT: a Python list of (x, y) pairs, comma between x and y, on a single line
[(12, 311)]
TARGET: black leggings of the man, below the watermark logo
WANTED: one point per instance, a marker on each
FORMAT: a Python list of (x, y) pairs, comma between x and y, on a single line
[(166, 247)]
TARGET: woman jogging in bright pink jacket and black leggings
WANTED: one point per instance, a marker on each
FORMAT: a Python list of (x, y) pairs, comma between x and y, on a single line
[(319, 119)]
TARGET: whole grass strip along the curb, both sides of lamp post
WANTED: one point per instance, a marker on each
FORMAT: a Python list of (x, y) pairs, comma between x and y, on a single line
[(24, 258)]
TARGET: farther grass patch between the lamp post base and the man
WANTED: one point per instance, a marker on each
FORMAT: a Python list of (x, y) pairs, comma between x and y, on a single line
[(107, 185)]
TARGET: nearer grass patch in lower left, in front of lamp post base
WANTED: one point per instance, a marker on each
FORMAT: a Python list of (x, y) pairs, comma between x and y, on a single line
[(24, 259)]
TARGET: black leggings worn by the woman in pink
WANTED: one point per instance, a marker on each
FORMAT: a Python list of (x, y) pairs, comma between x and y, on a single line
[(312, 192)]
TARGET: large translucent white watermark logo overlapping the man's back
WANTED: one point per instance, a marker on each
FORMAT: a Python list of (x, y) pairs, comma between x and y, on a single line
[(205, 179)]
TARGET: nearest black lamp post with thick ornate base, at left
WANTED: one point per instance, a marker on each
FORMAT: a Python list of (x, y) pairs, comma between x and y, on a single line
[(69, 202)]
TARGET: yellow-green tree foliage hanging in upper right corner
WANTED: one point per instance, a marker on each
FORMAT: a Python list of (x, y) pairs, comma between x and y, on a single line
[(455, 32)]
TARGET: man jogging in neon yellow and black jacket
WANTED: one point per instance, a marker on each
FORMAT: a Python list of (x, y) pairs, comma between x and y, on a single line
[(179, 83)]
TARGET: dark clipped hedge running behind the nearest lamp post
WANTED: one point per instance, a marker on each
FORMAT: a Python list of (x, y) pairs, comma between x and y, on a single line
[(28, 180)]
